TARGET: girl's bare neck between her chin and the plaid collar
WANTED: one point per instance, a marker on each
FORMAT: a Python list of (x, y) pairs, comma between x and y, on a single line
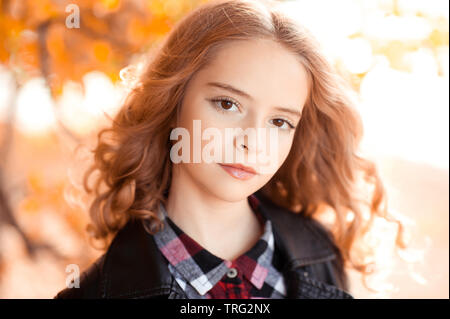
[(226, 229)]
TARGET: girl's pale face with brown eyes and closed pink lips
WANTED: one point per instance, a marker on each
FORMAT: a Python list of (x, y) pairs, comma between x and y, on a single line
[(250, 84)]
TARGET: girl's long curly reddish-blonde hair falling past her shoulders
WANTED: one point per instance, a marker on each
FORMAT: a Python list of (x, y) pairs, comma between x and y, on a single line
[(323, 170)]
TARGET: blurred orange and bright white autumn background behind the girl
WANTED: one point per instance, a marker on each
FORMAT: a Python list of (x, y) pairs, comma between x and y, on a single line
[(60, 79)]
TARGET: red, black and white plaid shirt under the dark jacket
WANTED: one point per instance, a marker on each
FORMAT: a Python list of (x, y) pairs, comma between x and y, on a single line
[(203, 275)]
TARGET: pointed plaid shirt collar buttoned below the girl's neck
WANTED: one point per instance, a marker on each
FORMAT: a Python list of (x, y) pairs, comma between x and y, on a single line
[(203, 269)]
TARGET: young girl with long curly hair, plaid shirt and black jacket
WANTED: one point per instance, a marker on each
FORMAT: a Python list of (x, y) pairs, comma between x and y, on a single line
[(196, 228)]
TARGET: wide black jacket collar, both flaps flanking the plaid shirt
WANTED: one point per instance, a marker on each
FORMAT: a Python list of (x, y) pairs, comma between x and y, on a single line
[(134, 266)]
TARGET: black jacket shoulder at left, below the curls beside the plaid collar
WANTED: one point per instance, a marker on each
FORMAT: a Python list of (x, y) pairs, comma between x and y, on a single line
[(132, 248)]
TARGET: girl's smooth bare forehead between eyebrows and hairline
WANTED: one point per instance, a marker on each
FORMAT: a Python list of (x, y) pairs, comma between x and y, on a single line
[(263, 68)]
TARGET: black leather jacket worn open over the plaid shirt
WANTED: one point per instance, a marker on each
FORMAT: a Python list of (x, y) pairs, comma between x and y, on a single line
[(133, 267)]
